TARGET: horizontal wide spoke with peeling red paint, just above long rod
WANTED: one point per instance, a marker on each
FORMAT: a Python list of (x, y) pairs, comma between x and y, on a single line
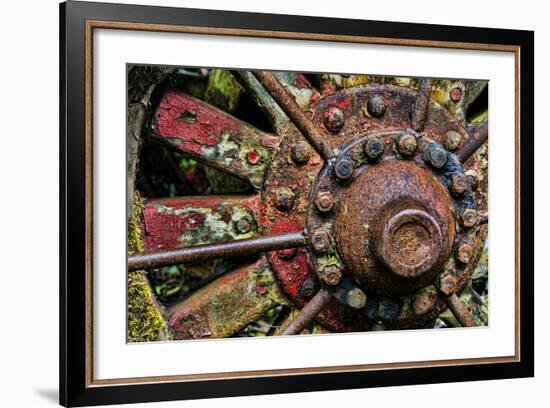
[(171, 223)]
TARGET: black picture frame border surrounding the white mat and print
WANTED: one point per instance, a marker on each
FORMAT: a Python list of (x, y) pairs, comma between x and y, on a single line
[(75, 386)]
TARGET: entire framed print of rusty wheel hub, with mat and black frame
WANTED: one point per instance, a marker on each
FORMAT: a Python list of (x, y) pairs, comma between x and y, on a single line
[(256, 204)]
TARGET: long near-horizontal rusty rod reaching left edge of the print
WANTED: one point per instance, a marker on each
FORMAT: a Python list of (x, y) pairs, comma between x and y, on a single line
[(199, 253)]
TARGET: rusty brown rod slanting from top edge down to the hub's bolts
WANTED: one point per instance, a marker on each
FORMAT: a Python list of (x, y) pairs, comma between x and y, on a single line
[(289, 105)]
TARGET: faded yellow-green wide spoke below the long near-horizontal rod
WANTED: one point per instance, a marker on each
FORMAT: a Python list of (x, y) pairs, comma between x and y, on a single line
[(227, 305)]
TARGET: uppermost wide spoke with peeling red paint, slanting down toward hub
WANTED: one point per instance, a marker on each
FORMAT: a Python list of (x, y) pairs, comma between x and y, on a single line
[(214, 137)]
